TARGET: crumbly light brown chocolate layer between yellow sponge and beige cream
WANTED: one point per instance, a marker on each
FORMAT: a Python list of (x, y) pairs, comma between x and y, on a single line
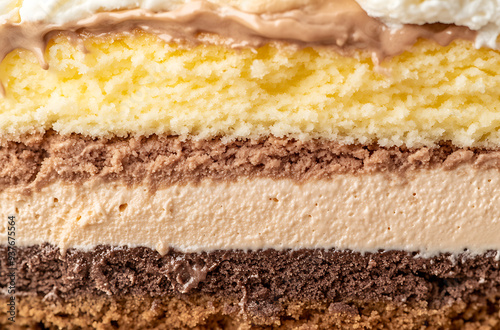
[(158, 161)]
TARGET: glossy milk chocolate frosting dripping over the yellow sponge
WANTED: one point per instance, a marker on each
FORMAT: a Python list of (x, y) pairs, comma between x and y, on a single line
[(341, 25)]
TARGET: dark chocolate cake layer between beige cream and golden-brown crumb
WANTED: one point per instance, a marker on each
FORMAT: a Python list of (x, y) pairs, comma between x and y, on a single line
[(261, 280)]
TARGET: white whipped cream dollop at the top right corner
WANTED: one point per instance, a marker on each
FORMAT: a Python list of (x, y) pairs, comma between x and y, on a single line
[(478, 15)]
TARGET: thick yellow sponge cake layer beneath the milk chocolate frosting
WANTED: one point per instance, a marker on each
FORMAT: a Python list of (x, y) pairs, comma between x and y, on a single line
[(142, 85)]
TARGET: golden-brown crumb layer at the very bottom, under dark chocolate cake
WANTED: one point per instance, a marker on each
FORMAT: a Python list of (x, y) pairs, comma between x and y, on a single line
[(106, 313)]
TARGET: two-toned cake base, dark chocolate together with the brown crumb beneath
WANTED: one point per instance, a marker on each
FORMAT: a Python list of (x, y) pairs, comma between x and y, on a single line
[(109, 288)]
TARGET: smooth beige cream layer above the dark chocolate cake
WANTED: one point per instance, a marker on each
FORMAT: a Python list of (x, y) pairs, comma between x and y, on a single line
[(433, 211)]
